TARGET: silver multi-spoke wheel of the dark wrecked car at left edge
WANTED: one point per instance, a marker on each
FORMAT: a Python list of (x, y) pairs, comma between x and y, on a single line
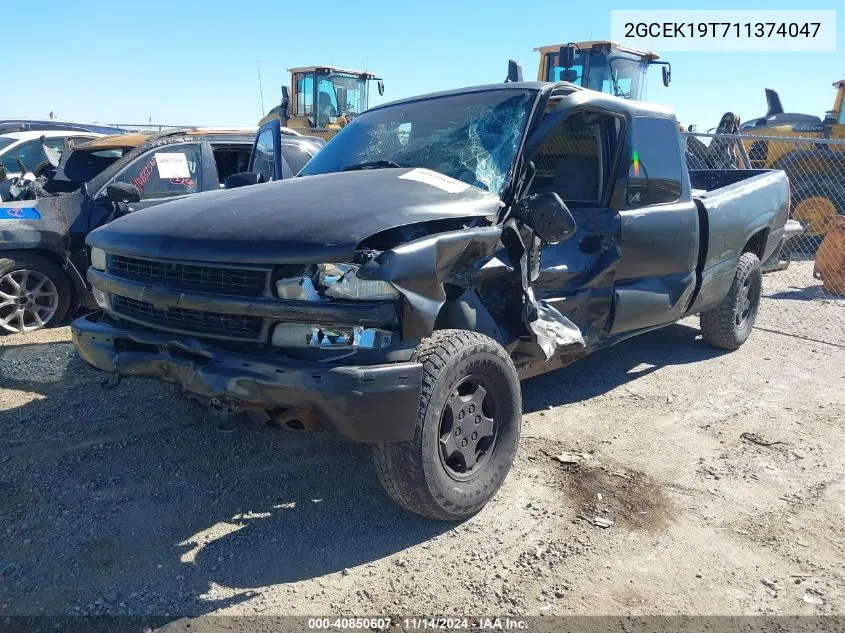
[(34, 293)]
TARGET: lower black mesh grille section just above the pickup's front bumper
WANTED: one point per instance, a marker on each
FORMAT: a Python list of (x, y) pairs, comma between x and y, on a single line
[(193, 321)]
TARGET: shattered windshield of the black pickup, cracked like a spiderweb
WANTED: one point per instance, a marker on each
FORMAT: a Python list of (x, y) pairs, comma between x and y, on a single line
[(472, 137)]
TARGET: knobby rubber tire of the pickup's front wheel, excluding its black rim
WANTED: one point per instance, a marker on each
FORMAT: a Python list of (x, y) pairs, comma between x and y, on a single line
[(412, 472)]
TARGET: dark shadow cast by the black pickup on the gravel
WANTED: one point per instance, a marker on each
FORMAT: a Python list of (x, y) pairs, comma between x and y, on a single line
[(130, 502)]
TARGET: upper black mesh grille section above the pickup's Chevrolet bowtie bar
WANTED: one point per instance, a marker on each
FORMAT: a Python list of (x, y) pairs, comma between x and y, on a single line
[(243, 282)]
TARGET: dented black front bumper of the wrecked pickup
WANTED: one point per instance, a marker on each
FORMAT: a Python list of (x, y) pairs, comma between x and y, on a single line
[(377, 403)]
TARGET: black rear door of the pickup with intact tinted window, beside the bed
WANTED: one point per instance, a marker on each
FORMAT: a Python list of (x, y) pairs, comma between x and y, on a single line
[(656, 276)]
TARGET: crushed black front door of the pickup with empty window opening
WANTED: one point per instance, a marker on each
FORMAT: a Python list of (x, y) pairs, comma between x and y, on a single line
[(578, 161)]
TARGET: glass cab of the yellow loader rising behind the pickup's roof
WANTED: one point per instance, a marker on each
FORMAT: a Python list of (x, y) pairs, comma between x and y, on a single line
[(603, 66)]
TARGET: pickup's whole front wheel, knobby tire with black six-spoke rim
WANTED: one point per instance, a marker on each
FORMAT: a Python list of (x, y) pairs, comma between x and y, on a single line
[(467, 429)]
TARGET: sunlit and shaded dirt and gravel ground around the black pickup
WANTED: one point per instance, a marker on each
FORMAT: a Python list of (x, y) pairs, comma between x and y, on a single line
[(131, 502)]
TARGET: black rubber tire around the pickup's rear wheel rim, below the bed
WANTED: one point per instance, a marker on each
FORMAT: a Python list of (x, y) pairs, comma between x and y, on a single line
[(719, 327)]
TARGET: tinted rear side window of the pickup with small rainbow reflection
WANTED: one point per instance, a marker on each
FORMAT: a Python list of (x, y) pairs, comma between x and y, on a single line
[(655, 168)]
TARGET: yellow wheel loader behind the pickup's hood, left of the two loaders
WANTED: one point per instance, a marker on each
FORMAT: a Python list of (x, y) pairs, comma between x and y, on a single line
[(323, 99)]
